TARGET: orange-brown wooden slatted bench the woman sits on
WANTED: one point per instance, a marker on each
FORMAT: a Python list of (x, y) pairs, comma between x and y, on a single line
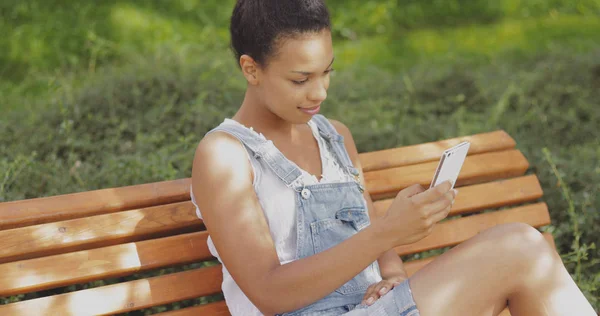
[(54, 242)]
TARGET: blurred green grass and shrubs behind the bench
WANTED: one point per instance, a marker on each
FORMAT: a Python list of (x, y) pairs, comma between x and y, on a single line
[(97, 94)]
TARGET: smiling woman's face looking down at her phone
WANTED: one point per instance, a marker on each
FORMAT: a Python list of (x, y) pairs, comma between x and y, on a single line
[(294, 83)]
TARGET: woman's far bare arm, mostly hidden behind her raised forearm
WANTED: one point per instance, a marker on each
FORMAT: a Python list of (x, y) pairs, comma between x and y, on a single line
[(390, 263)]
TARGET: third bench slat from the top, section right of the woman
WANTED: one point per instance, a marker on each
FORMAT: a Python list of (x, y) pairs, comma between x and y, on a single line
[(485, 196)]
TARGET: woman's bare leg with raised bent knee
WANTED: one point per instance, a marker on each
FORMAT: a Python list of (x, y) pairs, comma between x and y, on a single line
[(508, 264)]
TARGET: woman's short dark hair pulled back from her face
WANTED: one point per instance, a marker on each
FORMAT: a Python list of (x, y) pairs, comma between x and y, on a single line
[(258, 25)]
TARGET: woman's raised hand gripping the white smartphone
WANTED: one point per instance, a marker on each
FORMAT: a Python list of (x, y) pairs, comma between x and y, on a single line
[(414, 212)]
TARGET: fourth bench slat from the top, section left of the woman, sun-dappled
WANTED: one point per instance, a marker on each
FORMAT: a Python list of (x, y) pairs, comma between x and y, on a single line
[(124, 297)]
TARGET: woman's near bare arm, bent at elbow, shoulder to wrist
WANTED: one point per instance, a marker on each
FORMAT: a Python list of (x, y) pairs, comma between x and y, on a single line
[(222, 182)]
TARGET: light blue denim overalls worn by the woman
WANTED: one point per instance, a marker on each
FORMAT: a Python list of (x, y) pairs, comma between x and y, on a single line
[(326, 213)]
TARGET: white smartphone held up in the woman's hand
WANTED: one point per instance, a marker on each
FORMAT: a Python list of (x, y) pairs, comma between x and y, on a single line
[(450, 164)]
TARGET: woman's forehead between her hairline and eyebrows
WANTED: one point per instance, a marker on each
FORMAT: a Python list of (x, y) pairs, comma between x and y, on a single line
[(307, 52)]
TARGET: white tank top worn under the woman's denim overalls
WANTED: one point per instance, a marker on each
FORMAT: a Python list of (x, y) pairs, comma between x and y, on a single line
[(279, 206)]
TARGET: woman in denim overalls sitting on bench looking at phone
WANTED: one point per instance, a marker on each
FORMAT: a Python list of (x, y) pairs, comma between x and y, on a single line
[(281, 191)]
